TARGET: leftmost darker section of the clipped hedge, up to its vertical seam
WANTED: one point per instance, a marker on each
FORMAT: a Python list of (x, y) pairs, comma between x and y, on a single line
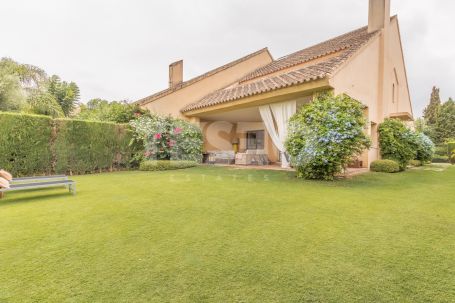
[(25, 144)]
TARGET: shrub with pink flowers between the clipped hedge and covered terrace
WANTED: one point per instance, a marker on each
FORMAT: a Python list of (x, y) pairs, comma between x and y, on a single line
[(168, 138)]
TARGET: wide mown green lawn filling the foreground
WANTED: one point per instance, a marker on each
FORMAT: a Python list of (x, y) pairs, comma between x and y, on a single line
[(212, 234)]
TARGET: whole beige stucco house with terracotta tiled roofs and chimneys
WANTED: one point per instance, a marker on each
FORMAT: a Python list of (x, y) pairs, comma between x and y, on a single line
[(244, 105)]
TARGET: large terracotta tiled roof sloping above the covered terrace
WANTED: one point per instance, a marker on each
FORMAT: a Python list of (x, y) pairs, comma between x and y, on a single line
[(265, 79)]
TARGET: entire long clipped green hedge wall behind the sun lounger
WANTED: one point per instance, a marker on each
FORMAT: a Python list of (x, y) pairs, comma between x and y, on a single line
[(38, 145)]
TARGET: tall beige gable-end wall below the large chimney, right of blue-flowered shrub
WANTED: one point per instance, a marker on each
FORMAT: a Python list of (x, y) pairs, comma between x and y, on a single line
[(362, 79)]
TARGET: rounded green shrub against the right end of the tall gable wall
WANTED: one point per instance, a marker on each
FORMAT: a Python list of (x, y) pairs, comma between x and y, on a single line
[(397, 142)]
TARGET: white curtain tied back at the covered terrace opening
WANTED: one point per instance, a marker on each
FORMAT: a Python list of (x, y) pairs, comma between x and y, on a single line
[(282, 112)]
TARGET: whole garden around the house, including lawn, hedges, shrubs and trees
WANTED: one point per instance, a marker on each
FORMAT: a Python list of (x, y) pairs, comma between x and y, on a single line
[(150, 223)]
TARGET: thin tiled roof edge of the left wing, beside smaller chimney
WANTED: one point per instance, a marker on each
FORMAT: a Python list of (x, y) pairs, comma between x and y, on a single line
[(199, 78)]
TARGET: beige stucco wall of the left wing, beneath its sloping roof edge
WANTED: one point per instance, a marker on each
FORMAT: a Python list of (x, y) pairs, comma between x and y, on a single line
[(174, 102)]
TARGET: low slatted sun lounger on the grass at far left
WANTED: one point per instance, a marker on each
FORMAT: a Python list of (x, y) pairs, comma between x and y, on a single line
[(40, 182)]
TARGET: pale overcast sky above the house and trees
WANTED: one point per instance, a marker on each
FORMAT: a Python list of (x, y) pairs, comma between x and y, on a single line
[(120, 50)]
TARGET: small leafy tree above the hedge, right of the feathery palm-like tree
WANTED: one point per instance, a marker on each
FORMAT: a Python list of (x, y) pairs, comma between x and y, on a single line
[(66, 94)]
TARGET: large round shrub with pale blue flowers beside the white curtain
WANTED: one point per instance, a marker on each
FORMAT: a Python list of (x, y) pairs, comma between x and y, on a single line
[(325, 135)]
